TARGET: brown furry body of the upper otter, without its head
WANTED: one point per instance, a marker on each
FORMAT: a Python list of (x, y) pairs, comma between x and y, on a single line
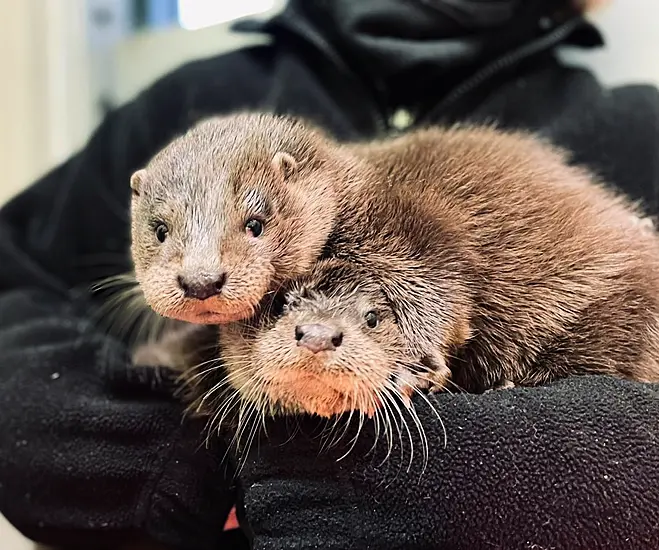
[(552, 273)]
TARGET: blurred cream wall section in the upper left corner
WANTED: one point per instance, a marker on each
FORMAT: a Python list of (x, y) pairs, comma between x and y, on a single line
[(45, 106)]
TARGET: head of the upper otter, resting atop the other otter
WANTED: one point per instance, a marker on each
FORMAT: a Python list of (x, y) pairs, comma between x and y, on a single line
[(228, 212)]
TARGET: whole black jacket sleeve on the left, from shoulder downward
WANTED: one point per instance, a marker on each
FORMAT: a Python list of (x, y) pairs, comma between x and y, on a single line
[(81, 458)]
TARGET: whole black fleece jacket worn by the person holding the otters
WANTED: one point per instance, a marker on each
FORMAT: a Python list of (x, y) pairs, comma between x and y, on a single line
[(87, 458)]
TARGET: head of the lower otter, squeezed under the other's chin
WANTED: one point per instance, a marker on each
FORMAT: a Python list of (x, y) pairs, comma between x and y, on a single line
[(333, 347)]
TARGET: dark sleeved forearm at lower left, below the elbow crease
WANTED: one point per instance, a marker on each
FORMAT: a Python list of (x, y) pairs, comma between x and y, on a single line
[(93, 452)]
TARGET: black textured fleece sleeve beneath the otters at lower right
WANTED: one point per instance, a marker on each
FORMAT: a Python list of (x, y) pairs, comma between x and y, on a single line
[(573, 466)]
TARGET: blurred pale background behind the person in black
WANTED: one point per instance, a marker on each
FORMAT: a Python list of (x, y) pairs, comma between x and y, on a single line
[(66, 62)]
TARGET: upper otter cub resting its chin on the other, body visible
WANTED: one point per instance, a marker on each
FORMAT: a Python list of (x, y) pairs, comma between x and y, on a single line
[(501, 262)]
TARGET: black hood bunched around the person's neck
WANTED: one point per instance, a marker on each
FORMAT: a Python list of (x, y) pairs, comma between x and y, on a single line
[(398, 44)]
